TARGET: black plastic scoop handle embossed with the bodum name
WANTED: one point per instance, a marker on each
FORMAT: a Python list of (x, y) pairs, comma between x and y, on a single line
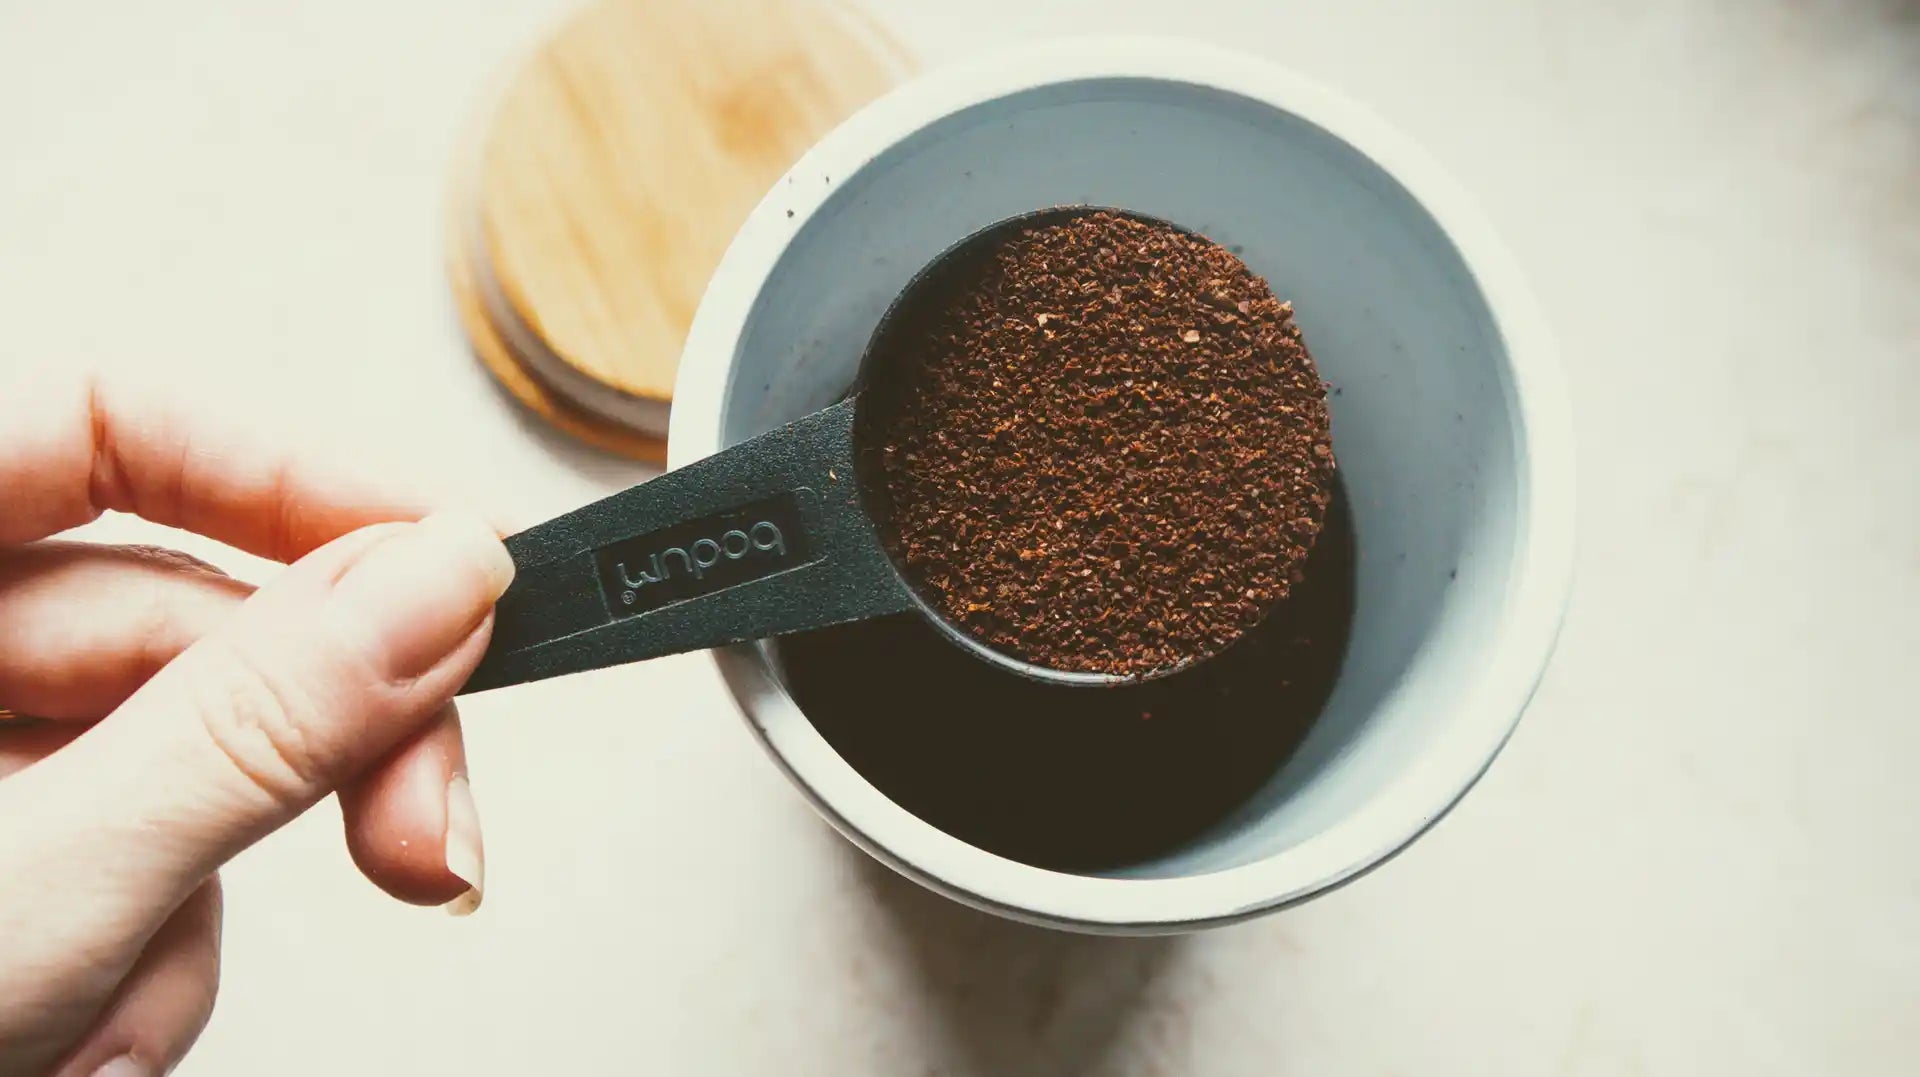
[(757, 540)]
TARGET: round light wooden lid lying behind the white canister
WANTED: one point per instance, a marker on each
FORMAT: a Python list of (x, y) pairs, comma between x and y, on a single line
[(612, 176)]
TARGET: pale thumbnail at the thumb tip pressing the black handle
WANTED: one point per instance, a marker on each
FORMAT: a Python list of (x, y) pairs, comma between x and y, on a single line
[(425, 590)]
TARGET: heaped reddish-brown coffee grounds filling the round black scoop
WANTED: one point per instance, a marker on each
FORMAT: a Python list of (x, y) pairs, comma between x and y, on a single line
[(1097, 446)]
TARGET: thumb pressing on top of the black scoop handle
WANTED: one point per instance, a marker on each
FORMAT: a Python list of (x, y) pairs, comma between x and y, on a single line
[(318, 677)]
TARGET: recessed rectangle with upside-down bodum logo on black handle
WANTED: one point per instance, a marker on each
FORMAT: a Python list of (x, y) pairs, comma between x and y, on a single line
[(700, 558)]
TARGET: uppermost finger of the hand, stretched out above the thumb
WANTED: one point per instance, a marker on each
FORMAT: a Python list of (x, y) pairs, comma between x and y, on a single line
[(74, 448)]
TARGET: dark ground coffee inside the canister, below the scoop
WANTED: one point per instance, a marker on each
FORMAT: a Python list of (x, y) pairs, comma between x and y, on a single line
[(1078, 778)]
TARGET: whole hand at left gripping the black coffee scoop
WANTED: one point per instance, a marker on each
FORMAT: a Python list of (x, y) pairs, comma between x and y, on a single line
[(180, 715)]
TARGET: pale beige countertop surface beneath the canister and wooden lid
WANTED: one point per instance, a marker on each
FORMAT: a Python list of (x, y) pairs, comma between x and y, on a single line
[(1698, 857)]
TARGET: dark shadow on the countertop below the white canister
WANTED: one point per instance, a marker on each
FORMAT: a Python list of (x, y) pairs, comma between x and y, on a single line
[(1009, 999)]
